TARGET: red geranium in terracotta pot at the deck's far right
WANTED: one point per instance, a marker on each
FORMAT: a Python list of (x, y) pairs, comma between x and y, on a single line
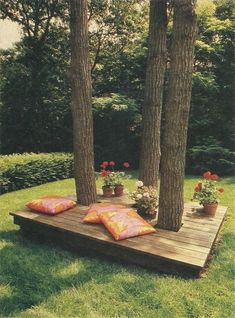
[(207, 193)]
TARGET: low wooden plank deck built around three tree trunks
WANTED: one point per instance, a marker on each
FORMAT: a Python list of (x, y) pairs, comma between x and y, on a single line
[(185, 252)]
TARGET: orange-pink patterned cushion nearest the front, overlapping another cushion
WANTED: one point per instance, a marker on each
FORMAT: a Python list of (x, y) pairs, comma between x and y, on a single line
[(124, 225)]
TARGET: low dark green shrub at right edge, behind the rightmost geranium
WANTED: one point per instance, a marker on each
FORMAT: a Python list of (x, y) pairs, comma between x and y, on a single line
[(210, 157)]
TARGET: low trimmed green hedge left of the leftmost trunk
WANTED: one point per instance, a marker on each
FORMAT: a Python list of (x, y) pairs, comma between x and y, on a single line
[(21, 171)]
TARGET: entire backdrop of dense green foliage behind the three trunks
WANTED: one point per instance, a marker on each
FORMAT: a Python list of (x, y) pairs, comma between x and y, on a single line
[(35, 90)]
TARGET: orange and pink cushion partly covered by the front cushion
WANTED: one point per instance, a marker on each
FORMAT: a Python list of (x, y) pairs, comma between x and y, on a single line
[(93, 214)]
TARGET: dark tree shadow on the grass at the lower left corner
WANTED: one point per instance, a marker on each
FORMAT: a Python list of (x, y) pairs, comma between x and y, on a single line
[(33, 273)]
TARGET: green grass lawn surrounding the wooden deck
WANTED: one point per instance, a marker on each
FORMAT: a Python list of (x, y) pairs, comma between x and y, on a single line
[(45, 281)]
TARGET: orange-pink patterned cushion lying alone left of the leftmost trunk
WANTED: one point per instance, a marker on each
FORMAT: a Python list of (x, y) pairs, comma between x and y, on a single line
[(51, 204)]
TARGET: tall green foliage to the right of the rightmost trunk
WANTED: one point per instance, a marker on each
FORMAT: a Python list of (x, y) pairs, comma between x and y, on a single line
[(210, 141)]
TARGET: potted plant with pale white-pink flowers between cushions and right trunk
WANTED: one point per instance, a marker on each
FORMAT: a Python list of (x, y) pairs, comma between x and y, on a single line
[(146, 200)]
